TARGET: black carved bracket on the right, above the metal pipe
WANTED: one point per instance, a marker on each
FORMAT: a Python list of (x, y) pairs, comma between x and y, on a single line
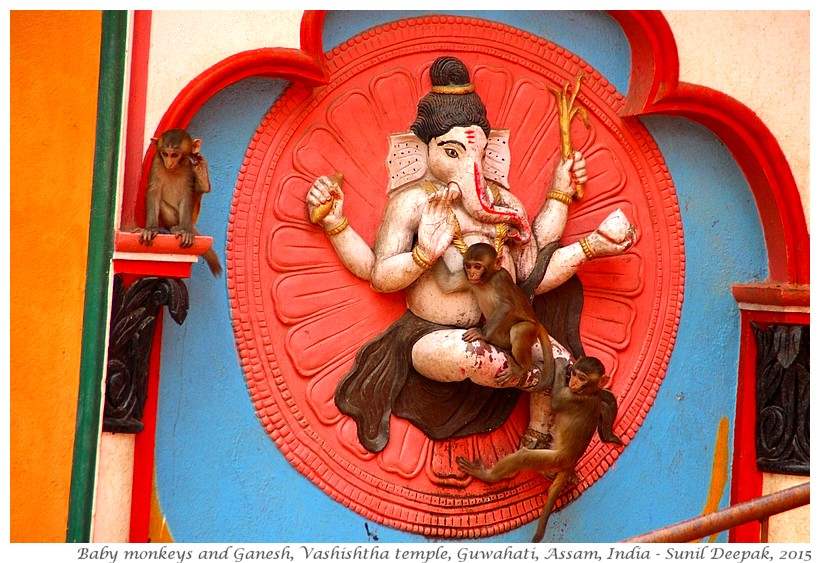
[(783, 399)]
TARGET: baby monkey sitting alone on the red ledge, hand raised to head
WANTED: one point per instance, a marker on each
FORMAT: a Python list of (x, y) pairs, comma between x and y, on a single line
[(176, 181)]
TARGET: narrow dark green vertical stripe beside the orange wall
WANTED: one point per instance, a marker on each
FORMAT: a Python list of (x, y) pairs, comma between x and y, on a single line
[(100, 252)]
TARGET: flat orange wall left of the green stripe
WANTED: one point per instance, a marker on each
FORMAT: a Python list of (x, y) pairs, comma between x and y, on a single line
[(54, 74)]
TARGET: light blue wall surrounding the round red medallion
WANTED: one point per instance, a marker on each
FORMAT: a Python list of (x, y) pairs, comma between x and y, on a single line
[(221, 478)]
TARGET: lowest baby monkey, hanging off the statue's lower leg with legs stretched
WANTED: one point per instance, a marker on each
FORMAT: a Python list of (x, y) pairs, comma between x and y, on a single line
[(580, 405)]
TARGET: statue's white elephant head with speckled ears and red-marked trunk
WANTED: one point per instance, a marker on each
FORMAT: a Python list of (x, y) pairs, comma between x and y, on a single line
[(464, 158)]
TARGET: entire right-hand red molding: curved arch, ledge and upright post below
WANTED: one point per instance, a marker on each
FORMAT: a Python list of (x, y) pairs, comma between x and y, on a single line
[(784, 298)]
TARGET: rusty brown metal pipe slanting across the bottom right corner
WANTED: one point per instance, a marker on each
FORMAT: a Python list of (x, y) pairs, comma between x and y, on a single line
[(708, 524)]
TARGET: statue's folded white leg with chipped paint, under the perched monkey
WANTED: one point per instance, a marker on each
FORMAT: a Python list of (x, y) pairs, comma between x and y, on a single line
[(444, 356)]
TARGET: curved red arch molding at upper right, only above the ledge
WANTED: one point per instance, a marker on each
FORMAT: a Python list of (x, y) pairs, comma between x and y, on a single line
[(654, 89)]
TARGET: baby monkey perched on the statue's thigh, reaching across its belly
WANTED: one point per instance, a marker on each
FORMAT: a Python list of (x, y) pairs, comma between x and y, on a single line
[(511, 322)]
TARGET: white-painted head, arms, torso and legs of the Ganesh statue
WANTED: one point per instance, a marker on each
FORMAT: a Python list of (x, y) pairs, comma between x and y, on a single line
[(445, 195)]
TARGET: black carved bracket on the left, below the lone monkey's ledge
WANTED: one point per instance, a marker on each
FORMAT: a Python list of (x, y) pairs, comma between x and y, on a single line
[(133, 322)]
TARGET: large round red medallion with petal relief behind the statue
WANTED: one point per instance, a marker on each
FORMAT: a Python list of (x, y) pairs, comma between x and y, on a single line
[(300, 317)]
